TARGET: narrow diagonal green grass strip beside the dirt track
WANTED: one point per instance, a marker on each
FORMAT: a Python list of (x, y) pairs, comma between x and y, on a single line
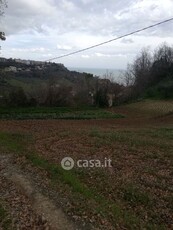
[(104, 206)]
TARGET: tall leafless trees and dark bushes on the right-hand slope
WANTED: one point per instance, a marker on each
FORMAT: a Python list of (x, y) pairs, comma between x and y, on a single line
[(151, 75)]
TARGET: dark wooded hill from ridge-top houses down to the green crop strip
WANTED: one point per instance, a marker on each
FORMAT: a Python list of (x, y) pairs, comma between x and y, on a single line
[(51, 84)]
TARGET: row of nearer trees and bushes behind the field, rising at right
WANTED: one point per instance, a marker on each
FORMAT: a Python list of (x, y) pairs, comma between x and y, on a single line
[(150, 75)]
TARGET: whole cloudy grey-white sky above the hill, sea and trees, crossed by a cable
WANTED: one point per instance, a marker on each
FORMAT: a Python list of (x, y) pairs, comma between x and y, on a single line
[(44, 29)]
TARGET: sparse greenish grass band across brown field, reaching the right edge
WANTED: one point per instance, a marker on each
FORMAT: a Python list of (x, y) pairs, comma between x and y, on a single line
[(157, 137)]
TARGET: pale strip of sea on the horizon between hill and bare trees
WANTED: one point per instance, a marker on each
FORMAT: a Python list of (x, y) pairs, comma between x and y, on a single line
[(116, 74)]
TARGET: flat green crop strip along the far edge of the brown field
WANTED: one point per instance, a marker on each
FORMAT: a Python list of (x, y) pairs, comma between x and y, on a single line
[(57, 113)]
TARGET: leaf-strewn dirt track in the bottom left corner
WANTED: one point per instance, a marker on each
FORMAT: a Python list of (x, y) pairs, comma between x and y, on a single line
[(29, 208)]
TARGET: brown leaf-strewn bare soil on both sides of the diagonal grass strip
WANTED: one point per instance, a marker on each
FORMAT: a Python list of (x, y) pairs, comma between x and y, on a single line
[(142, 160)]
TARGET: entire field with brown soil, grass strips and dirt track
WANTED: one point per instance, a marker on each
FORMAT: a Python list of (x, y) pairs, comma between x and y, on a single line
[(135, 193)]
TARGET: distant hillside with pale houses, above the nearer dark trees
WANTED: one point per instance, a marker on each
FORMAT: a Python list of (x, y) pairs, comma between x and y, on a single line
[(29, 74)]
